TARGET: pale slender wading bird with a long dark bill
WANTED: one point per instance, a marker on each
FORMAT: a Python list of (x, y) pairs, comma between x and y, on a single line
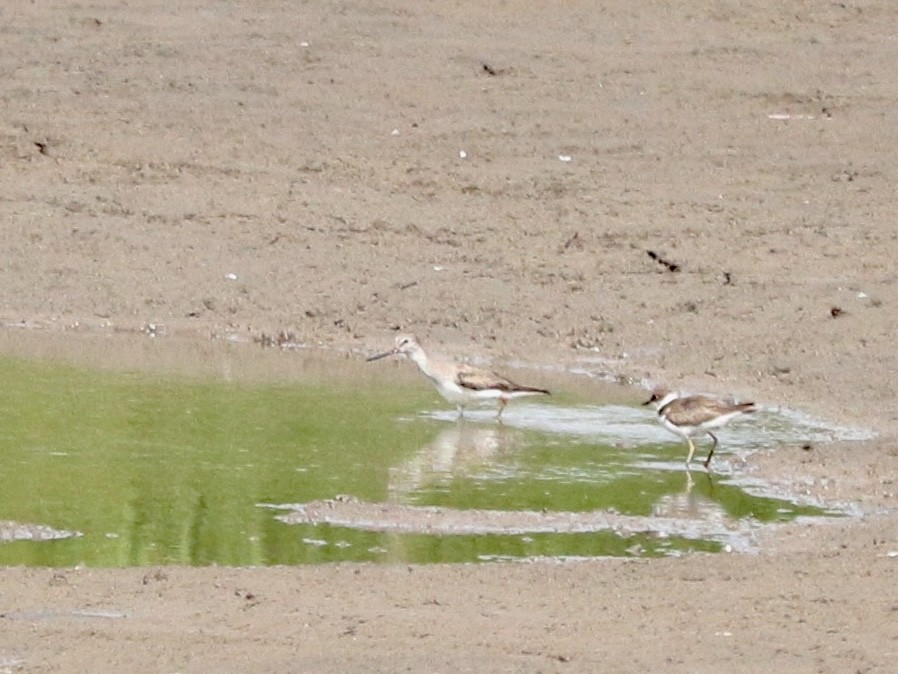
[(460, 383)]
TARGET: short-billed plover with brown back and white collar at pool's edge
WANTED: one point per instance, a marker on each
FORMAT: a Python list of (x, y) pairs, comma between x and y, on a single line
[(690, 415)]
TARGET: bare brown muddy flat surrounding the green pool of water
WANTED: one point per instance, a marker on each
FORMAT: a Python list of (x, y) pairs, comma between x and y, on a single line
[(493, 178)]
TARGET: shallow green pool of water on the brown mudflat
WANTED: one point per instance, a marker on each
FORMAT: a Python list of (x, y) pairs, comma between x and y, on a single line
[(145, 469)]
